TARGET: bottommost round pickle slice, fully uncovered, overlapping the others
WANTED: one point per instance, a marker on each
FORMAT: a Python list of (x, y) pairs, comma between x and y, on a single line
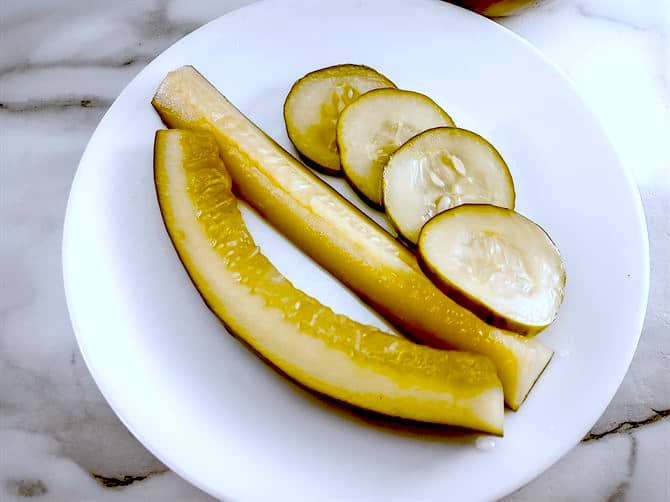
[(497, 263)]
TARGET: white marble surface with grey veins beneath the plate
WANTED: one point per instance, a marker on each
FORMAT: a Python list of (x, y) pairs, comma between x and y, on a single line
[(62, 62)]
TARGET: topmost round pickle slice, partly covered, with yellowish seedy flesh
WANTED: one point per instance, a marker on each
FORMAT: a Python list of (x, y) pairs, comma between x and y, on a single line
[(313, 106)]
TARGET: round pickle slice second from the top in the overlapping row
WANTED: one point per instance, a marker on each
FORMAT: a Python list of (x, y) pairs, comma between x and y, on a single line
[(373, 127)]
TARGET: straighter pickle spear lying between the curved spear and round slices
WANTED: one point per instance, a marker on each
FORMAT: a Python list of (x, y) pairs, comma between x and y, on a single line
[(341, 238)]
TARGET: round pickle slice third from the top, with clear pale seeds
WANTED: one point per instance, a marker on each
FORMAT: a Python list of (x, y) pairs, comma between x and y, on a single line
[(439, 169)]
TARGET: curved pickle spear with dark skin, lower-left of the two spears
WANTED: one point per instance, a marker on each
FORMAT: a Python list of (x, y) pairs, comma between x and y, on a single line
[(310, 343)]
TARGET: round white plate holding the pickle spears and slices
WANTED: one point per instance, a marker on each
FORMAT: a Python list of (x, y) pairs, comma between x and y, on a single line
[(217, 415)]
